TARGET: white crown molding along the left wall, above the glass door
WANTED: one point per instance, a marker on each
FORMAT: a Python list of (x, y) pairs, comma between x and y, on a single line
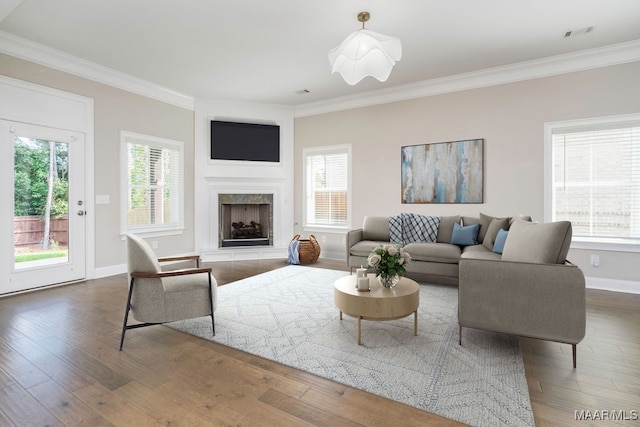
[(34, 52)]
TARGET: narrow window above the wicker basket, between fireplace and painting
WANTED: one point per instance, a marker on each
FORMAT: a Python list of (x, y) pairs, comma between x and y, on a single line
[(327, 175)]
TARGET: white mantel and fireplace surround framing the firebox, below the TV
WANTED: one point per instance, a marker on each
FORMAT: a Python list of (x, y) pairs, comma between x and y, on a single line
[(281, 232)]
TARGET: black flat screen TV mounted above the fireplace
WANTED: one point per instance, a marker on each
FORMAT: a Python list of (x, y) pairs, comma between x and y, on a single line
[(245, 141)]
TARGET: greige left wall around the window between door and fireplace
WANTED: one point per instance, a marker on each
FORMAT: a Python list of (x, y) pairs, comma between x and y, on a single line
[(116, 110)]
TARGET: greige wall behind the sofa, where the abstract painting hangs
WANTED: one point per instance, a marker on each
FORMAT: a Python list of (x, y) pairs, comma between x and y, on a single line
[(509, 117)]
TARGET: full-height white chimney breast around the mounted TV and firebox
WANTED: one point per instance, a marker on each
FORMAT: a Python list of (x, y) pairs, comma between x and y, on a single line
[(213, 177)]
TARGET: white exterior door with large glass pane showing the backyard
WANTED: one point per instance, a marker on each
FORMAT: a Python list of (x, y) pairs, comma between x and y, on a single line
[(43, 210)]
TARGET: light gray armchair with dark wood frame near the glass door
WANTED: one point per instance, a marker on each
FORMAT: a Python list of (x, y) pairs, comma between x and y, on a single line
[(157, 296)]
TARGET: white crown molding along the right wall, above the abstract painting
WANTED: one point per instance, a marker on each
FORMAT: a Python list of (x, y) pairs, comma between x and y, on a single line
[(545, 67)]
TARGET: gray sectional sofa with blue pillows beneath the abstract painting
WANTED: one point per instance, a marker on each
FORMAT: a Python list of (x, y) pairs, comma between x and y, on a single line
[(525, 287)]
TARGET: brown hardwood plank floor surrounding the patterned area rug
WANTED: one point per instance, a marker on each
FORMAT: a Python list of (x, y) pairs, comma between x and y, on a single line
[(60, 366)]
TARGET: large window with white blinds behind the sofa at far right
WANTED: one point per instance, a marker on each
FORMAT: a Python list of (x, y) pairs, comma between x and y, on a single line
[(595, 178)]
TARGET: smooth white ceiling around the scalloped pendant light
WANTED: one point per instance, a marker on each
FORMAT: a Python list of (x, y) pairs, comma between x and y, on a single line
[(270, 51)]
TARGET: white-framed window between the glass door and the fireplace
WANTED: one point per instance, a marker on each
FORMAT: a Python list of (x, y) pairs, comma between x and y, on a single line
[(153, 198)]
